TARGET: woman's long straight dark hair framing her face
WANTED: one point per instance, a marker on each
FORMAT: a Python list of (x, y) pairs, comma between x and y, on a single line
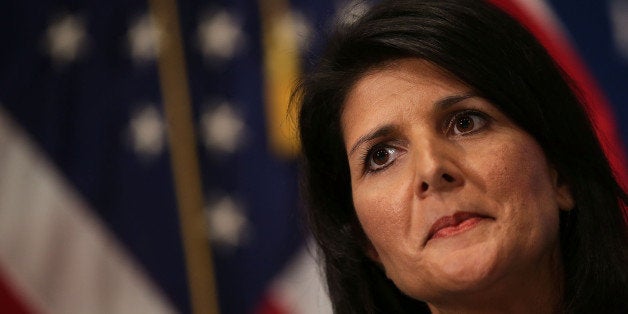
[(490, 51)]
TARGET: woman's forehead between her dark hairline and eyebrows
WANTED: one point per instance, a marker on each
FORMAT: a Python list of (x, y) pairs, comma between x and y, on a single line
[(396, 88)]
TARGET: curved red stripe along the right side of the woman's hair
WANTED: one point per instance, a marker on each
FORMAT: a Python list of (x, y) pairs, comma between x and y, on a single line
[(598, 107)]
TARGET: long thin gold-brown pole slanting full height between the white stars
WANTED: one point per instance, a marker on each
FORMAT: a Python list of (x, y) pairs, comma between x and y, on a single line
[(184, 159)]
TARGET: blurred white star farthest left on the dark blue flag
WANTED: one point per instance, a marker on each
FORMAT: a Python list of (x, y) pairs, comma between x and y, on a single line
[(66, 39)]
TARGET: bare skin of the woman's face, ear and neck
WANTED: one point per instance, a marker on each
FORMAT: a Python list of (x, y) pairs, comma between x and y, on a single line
[(421, 146)]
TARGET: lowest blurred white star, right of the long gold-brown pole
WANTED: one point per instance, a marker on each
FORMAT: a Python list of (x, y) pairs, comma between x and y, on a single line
[(228, 225)]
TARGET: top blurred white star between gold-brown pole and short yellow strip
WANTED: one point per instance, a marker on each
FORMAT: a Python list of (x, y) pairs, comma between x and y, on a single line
[(220, 36)]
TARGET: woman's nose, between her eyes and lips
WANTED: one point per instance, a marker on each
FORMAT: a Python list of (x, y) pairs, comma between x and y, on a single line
[(437, 169)]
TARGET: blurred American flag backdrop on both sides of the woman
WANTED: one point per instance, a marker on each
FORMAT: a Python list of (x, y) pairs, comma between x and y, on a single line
[(147, 151)]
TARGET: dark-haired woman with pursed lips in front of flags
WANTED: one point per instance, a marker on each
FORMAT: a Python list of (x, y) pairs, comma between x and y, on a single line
[(449, 167)]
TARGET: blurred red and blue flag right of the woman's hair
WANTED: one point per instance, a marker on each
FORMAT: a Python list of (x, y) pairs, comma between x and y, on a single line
[(588, 42)]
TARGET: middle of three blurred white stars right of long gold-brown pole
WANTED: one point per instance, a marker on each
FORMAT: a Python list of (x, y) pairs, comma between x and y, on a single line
[(222, 128)]
